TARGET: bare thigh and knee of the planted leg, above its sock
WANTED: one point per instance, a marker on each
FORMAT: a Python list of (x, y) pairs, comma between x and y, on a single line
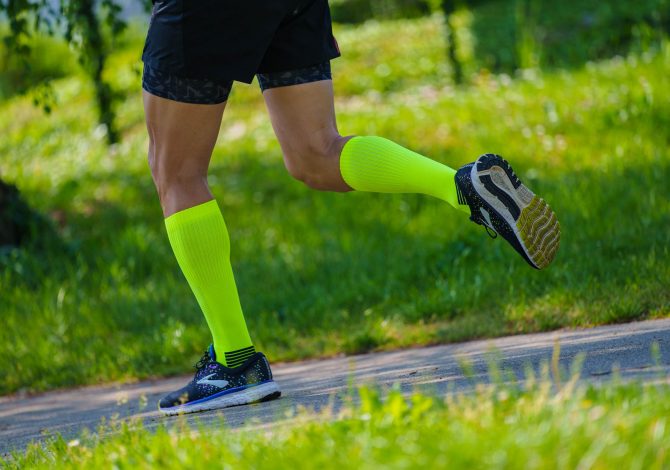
[(181, 140)]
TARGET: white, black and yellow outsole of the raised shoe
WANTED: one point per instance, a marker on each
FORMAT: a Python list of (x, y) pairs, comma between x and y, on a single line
[(532, 221)]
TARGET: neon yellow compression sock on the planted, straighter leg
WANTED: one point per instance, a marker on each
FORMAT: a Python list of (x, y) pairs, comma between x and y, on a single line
[(201, 244)]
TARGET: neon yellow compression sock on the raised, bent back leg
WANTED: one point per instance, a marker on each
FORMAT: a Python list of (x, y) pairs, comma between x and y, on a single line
[(376, 164)]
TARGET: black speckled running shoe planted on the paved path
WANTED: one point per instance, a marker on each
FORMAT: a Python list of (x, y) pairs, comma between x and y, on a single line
[(216, 386)]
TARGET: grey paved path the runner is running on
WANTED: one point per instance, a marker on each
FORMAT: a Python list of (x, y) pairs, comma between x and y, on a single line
[(315, 384)]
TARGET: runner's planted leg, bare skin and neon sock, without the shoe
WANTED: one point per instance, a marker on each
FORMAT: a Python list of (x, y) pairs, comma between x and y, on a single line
[(182, 137)]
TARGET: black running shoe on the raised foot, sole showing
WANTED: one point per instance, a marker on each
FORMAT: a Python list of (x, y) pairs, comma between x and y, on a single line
[(503, 205)]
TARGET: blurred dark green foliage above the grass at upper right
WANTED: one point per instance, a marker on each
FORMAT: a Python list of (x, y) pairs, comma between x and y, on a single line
[(513, 34)]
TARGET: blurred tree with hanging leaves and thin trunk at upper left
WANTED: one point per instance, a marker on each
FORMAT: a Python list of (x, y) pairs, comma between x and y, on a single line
[(89, 26)]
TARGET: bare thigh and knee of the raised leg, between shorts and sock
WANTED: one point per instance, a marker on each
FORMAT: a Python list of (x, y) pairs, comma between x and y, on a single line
[(303, 118)]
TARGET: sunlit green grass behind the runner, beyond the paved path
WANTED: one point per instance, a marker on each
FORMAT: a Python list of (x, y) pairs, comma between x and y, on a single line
[(321, 274)]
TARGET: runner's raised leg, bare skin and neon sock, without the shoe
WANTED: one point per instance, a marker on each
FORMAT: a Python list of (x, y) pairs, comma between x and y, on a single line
[(303, 118)]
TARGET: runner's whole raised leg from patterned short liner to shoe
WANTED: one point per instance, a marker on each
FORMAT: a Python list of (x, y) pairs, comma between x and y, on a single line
[(302, 114)]
